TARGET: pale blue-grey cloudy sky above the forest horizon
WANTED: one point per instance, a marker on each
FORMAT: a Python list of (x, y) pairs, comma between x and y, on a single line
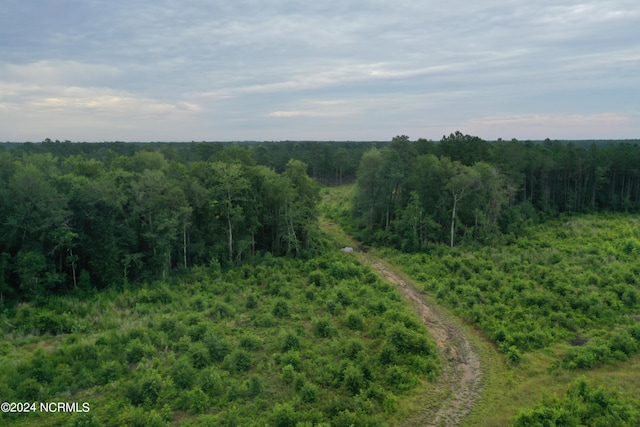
[(169, 70)]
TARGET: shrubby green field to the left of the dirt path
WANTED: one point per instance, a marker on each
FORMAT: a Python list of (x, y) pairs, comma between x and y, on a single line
[(277, 341)]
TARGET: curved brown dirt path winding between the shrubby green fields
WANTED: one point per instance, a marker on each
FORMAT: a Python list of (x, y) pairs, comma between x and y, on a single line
[(459, 384)]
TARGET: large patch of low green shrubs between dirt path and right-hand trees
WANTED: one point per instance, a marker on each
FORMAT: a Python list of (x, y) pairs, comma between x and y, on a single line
[(569, 280)]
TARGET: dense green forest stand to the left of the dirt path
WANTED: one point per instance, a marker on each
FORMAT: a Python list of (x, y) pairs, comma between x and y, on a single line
[(73, 221)]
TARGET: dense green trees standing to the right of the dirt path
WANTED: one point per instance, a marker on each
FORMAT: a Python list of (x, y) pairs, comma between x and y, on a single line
[(410, 193)]
